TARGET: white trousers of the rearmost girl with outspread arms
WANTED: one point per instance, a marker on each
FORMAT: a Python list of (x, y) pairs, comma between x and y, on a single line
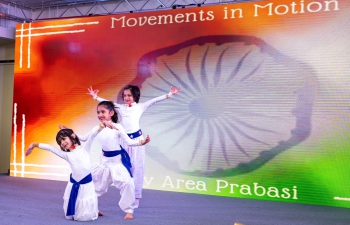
[(137, 158)]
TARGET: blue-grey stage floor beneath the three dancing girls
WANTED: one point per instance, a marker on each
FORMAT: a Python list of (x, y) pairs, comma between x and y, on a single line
[(34, 201)]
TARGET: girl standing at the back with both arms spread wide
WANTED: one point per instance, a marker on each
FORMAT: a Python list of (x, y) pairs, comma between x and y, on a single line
[(131, 113)]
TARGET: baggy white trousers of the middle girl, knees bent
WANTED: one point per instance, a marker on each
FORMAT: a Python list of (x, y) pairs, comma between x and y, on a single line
[(111, 170)]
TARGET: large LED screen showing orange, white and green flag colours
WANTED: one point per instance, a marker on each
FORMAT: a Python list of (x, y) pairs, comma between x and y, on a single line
[(263, 111)]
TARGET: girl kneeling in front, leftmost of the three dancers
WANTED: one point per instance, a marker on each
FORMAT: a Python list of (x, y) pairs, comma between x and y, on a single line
[(80, 200)]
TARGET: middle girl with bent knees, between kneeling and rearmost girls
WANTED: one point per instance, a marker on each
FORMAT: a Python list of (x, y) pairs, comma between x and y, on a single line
[(114, 164)]
